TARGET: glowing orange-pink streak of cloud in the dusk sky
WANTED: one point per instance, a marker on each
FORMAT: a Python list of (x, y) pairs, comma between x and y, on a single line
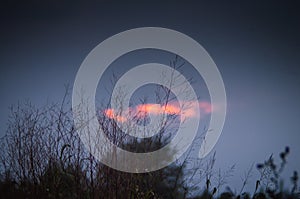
[(141, 111)]
